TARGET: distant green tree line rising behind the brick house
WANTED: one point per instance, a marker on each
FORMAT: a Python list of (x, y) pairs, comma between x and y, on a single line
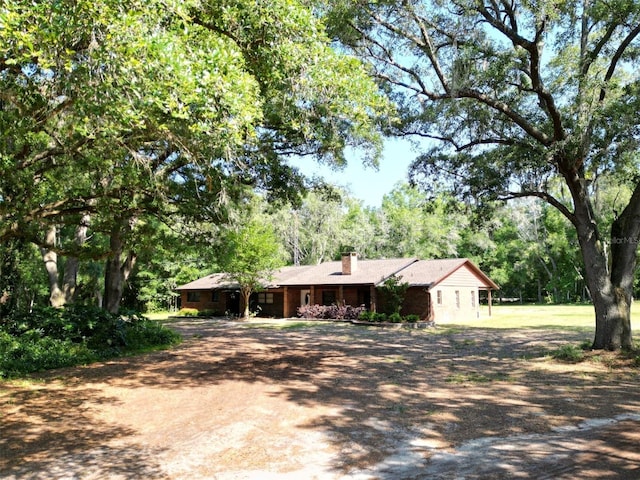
[(526, 247)]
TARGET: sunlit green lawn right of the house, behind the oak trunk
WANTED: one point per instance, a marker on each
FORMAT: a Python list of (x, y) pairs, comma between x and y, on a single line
[(574, 317)]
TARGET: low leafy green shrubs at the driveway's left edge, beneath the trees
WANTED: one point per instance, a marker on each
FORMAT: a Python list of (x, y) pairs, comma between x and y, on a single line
[(52, 338)]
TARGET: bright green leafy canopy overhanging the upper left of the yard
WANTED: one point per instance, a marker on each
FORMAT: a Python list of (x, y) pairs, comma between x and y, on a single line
[(156, 107)]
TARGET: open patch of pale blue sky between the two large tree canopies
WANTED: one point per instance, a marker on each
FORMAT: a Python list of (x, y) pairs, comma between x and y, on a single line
[(366, 183)]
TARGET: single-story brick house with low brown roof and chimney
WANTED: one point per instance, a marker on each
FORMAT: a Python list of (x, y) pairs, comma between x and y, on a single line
[(439, 290)]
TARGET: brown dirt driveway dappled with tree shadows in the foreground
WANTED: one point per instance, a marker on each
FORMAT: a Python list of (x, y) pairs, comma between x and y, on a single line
[(330, 401)]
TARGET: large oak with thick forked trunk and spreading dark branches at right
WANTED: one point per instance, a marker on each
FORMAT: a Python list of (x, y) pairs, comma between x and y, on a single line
[(522, 98)]
